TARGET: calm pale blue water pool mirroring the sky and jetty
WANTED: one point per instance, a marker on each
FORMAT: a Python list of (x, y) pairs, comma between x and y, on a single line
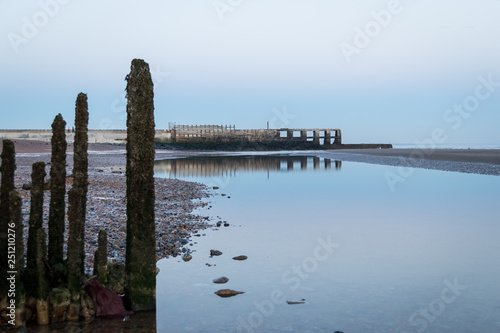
[(424, 257)]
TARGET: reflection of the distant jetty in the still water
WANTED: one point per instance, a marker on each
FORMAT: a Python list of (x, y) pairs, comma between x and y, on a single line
[(226, 166)]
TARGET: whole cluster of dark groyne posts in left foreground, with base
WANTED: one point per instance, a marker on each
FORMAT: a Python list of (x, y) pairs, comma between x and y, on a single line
[(39, 283)]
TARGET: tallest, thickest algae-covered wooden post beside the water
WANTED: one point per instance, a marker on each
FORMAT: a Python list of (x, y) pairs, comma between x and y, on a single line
[(141, 243)]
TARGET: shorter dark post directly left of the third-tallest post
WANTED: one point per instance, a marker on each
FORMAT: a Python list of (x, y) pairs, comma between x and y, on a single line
[(35, 223)]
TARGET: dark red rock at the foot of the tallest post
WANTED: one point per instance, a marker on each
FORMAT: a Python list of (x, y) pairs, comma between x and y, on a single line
[(107, 302)]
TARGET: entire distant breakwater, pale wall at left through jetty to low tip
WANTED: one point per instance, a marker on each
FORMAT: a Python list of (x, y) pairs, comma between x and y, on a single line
[(216, 137)]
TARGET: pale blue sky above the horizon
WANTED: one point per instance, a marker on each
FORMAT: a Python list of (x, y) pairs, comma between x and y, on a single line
[(382, 71)]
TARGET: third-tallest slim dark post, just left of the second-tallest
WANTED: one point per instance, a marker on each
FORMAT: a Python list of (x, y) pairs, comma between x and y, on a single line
[(57, 193)]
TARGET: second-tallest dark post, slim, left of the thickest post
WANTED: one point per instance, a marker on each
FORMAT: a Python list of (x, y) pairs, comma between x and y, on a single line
[(77, 200)]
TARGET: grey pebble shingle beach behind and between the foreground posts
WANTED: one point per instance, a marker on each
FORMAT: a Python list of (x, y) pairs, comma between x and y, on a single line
[(106, 207)]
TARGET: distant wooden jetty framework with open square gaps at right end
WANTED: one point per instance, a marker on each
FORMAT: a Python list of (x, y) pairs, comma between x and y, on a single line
[(225, 133)]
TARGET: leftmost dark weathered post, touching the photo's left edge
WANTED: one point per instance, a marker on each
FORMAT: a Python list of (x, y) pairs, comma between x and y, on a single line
[(7, 169)]
